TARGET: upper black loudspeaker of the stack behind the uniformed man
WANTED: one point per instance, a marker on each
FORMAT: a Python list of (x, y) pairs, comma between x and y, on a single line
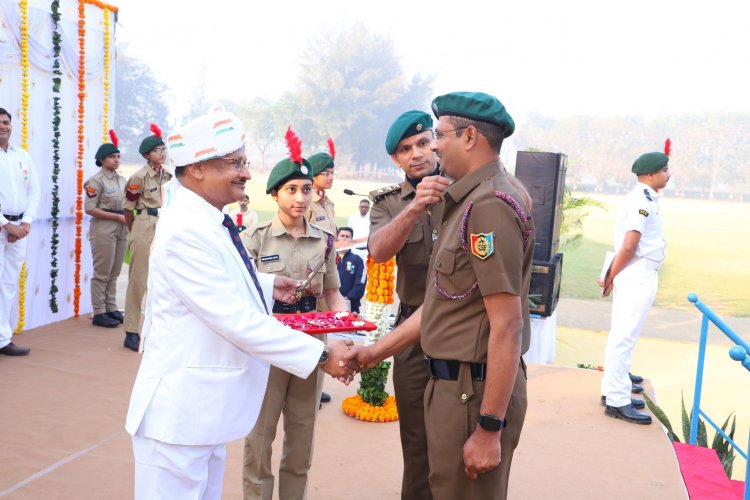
[(543, 175)]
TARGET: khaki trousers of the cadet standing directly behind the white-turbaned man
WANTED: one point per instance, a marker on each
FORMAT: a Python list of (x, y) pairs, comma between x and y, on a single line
[(141, 236)]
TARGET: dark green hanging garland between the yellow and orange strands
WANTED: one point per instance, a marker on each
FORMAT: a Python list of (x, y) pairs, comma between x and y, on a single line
[(55, 210)]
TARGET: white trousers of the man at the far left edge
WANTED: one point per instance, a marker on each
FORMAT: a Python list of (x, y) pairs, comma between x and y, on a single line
[(11, 259)]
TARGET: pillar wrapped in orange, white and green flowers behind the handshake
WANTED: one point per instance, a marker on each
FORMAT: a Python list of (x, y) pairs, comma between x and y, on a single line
[(372, 403)]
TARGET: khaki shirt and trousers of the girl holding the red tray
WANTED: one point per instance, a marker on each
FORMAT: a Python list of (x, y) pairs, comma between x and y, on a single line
[(277, 252)]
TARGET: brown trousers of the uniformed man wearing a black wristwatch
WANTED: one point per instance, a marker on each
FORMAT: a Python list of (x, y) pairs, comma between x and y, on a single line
[(450, 421)]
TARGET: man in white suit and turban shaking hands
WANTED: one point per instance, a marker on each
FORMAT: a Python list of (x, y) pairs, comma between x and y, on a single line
[(208, 336)]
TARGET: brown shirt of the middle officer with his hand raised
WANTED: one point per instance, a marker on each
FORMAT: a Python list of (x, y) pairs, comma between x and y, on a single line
[(414, 258)]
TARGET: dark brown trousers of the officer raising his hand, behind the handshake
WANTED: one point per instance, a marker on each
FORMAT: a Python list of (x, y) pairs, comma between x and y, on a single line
[(409, 381)]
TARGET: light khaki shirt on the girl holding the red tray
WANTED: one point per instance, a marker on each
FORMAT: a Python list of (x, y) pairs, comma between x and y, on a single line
[(276, 251)]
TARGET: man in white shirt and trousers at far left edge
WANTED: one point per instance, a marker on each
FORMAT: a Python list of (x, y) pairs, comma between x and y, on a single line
[(19, 199)]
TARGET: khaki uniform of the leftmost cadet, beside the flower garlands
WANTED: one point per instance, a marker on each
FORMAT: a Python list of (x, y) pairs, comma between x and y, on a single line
[(106, 190)]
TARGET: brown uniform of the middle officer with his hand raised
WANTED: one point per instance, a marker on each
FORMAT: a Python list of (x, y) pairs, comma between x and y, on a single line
[(409, 374)]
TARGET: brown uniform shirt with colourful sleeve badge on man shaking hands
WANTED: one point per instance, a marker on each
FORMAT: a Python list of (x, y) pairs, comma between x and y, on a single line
[(477, 255)]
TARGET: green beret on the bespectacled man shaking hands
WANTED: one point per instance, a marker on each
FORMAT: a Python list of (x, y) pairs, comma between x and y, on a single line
[(474, 106)]
